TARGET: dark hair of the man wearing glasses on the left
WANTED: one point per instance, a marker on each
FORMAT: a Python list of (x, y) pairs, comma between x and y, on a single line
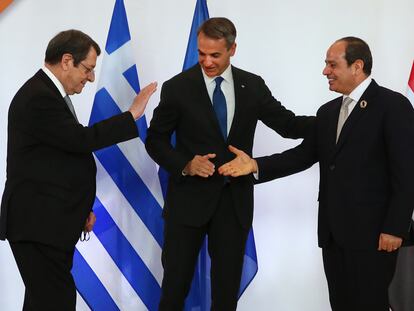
[(72, 41)]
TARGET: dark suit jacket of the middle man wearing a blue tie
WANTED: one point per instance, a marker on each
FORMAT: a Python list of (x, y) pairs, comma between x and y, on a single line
[(185, 108)]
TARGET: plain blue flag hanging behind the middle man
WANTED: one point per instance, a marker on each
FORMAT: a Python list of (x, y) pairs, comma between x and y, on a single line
[(199, 297)]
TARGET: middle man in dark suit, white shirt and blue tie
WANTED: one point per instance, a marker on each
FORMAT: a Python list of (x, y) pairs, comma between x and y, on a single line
[(209, 106)]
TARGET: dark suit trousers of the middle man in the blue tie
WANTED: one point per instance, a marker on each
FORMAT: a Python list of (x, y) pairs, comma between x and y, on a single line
[(226, 245)]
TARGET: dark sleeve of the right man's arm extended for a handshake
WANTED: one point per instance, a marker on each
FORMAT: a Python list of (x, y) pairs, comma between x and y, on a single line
[(290, 161)]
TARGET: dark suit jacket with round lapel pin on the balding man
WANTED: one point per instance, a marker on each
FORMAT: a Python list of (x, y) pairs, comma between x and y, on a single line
[(366, 179)]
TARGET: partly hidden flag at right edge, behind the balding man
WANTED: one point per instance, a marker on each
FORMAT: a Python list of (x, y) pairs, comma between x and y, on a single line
[(401, 291)]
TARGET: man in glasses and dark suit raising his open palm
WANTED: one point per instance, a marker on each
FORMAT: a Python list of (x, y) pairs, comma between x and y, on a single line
[(50, 186)]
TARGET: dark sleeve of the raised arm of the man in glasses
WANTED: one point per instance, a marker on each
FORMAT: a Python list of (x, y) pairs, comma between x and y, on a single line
[(48, 121)]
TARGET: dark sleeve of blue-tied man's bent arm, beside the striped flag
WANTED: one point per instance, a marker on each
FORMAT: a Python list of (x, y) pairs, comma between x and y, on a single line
[(163, 124)]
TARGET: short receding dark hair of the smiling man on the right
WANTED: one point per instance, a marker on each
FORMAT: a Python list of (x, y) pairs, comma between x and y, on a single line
[(358, 49)]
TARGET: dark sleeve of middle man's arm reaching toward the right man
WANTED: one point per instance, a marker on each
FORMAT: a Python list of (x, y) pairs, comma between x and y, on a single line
[(277, 117)]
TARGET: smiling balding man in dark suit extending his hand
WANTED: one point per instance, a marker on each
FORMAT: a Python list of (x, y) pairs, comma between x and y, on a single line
[(366, 172)]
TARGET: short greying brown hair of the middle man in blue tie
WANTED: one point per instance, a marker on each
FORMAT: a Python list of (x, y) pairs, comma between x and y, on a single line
[(219, 28)]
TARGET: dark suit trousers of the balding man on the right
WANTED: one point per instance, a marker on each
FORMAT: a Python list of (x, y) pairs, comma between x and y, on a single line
[(358, 280)]
